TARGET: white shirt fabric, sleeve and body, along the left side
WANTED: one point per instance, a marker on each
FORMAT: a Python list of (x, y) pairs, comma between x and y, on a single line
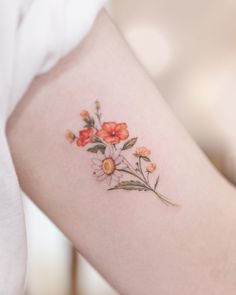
[(34, 34)]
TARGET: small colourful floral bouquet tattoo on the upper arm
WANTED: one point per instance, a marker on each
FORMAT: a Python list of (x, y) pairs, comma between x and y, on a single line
[(109, 142)]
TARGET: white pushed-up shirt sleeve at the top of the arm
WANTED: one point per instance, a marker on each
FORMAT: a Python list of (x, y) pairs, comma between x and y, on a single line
[(48, 30)]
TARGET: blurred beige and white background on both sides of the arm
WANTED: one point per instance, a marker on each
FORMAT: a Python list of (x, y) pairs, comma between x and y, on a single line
[(188, 48)]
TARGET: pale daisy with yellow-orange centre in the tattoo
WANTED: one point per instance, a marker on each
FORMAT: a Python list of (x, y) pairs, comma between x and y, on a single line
[(106, 166)]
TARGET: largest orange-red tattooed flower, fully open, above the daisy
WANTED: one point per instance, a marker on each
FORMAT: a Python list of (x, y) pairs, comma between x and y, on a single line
[(113, 133)]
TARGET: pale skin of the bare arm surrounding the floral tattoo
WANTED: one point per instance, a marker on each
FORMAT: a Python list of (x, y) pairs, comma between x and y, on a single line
[(140, 245)]
